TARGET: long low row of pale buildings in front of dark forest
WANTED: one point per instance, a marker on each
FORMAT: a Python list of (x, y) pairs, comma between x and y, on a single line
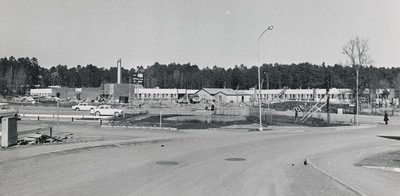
[(126, 92)]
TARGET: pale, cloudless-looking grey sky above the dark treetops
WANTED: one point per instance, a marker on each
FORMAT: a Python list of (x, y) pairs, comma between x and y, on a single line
[(203, 32)]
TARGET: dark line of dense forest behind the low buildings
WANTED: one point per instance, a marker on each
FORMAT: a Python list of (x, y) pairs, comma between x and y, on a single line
[(17, 76)]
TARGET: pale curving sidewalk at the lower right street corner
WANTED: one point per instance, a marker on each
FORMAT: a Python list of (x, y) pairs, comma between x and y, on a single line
[(365, 181)]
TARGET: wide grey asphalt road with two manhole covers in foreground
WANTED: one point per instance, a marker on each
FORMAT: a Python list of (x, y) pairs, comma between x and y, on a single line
[(229, 161)]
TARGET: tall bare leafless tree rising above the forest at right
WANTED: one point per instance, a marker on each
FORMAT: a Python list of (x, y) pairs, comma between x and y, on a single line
[(356, 51)]
